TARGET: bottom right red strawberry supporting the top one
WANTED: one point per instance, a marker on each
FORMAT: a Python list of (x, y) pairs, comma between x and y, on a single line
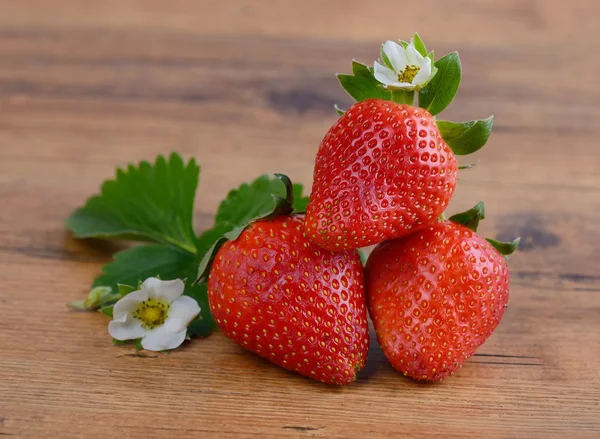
[(435, 297)]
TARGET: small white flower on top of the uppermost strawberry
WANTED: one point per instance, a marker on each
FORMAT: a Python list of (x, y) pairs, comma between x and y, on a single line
[(403, 68)]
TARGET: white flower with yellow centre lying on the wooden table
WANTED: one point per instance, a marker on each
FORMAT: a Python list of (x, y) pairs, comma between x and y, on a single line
[(157, 313)]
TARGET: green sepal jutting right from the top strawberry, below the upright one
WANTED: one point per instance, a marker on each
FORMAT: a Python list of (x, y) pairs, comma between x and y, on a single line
[(466, 137)]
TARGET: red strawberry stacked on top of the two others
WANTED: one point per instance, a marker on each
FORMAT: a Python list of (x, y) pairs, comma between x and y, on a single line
[(382, 172)]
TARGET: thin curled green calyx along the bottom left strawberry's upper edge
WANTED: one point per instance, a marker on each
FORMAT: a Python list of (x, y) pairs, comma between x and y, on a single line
[(282, 205)]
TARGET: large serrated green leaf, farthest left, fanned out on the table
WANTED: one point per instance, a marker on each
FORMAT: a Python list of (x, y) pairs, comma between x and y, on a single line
[(147, 202)]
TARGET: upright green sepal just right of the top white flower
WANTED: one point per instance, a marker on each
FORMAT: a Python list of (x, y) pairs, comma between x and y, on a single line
[(442, 88)]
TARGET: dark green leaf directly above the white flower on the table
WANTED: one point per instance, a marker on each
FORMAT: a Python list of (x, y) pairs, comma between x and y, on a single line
[(143, 261)]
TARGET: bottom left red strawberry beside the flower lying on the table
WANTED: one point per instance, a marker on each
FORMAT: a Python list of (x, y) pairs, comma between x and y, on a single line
[(277, 294)]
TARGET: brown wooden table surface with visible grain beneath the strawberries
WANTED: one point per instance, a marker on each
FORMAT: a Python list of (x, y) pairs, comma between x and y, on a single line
[(249, 88)]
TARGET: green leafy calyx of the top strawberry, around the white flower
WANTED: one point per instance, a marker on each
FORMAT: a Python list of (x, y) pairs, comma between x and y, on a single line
[(435, 95)]
